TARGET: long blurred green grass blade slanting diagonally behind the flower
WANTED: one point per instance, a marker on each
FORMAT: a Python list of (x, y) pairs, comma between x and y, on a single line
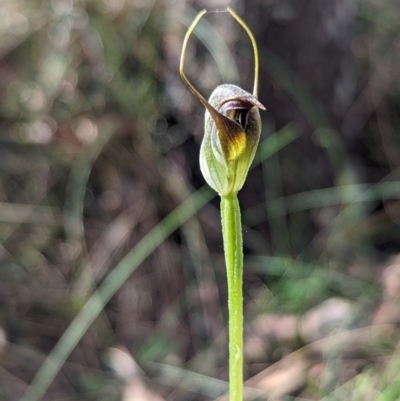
[(95, 304)]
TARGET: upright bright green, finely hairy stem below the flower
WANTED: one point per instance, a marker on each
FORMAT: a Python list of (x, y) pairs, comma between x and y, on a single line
[(233, 245)]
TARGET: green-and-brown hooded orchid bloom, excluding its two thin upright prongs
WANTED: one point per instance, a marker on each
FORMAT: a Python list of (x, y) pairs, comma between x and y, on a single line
[(232, 133)]
